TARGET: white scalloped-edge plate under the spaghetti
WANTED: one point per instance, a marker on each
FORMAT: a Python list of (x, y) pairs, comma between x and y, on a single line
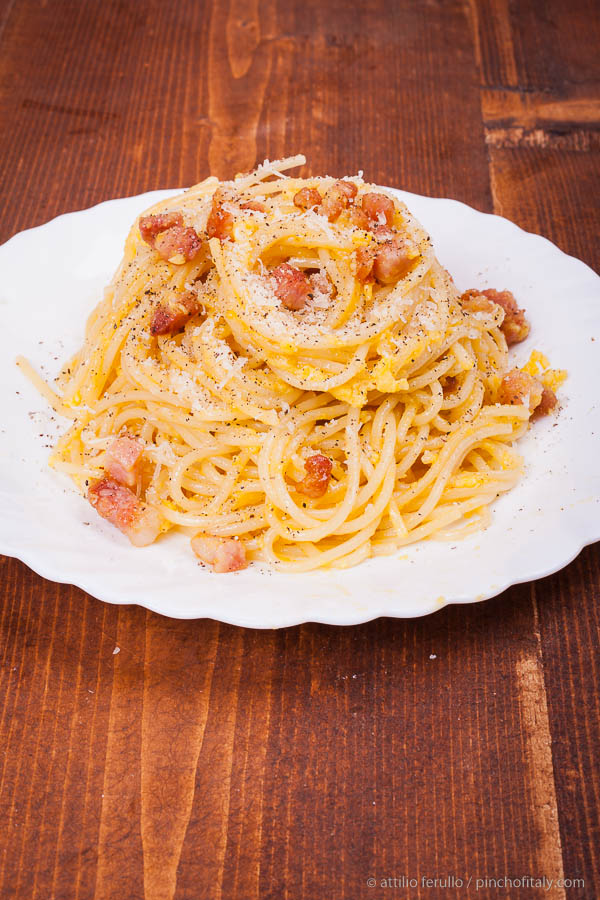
[(53, 275)]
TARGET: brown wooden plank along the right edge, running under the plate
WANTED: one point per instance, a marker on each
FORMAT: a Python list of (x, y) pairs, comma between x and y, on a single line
[(544, 150)]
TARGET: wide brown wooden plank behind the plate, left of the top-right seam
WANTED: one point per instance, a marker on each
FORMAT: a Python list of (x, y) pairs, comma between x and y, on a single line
[(124, 128)]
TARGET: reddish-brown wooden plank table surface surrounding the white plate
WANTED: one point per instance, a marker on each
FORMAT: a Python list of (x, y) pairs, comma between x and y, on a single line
[(207, 761)]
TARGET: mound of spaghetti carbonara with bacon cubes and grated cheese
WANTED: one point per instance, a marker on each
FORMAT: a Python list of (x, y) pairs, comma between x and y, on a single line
[(282, 369)]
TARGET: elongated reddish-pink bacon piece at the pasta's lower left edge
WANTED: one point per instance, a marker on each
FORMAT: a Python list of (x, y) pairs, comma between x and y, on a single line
[(120, 506)]
